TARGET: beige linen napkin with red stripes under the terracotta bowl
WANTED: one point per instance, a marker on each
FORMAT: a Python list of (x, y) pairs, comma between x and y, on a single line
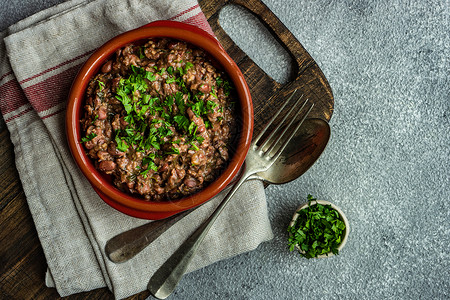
[(39, 58)]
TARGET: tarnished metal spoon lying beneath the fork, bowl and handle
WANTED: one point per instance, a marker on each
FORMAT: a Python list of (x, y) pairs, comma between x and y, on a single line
[(299, 155)]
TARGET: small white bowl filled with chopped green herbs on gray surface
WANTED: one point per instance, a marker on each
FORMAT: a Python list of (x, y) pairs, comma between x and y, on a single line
[(318, 229)]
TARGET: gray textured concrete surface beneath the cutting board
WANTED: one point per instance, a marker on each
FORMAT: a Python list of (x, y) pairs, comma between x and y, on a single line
[(386, 165)]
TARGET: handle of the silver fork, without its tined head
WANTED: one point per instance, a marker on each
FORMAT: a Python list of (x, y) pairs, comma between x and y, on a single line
[(166, 278)]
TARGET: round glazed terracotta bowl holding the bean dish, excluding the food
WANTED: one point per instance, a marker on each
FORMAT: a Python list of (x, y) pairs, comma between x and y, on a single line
[(131, 204)]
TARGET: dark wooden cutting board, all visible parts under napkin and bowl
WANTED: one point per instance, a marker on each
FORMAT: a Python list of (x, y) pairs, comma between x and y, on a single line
[(22, 261)]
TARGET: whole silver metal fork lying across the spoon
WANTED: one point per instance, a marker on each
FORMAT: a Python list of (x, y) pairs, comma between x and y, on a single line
[(259, 159)]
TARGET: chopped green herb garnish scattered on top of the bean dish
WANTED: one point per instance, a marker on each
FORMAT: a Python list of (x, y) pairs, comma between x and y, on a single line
[(151, 120)]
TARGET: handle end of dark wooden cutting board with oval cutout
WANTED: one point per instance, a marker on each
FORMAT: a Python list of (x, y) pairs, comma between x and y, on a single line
[(267, 94)]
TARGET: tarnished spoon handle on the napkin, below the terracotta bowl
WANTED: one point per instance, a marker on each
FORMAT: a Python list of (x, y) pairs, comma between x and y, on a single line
[(126, 245)]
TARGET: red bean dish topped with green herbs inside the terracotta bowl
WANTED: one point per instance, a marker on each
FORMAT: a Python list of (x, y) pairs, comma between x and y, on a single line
[(159, 119)]
